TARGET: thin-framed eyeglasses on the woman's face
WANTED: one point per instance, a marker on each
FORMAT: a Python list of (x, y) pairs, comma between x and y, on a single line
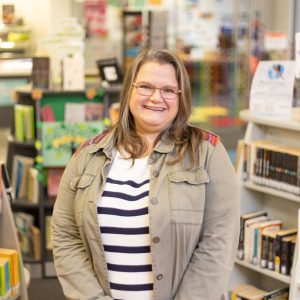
[(147, 89)]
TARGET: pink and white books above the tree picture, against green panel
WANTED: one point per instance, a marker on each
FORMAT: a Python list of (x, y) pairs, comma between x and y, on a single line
[(75, 112)]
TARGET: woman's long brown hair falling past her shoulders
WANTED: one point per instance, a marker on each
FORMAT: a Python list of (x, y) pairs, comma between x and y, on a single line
[(185, 137)]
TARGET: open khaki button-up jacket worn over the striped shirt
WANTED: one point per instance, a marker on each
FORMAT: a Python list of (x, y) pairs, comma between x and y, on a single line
[(194, 223)]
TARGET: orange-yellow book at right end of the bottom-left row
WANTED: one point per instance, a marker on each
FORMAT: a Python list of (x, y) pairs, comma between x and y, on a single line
[(13, 256)]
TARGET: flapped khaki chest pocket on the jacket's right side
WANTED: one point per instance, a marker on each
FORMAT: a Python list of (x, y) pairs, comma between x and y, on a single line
[(187, 195)]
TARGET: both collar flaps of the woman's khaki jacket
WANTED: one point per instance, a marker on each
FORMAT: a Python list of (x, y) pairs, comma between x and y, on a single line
[(107, 144)]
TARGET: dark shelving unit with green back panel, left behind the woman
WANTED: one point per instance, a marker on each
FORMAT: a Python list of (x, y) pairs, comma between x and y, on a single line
[(43, 267)]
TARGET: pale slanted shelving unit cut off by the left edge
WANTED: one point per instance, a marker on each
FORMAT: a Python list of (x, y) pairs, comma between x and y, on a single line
[(9, 239)]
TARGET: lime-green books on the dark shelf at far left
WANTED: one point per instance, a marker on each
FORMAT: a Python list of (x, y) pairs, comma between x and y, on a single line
[(24, 122)]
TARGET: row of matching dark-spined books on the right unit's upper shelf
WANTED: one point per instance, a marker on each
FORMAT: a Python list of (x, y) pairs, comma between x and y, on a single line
[(272, 165)]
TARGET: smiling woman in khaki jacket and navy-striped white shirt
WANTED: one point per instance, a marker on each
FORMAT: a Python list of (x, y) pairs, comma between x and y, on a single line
[(150, 208)]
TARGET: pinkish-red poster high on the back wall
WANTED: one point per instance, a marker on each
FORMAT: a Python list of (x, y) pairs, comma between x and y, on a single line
[(95, 15)]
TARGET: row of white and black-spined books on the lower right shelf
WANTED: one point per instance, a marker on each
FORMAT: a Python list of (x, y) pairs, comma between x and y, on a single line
[(263, 242)]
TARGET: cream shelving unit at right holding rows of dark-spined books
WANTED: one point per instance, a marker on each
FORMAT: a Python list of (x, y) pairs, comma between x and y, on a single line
[(279, 204)]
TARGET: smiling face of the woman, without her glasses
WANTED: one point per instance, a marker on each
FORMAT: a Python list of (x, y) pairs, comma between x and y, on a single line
[(153, 114)]
